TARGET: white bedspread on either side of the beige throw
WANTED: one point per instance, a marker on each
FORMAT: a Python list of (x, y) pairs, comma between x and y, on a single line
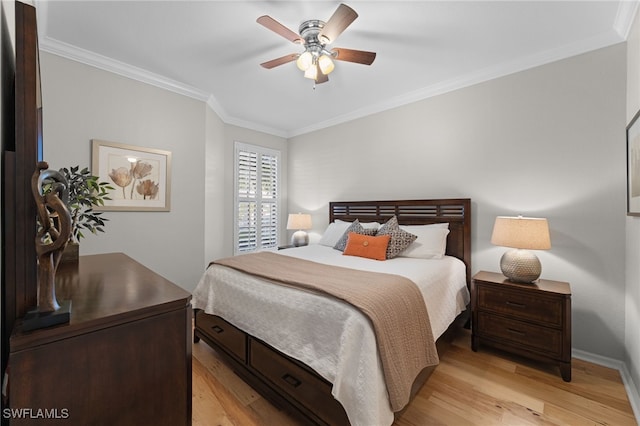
[(331, 336)]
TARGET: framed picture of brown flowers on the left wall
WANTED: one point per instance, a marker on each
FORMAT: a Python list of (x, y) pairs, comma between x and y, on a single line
[(141, 177)]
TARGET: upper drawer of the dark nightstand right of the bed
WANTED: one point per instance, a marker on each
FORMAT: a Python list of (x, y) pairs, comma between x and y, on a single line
[(526, 306)]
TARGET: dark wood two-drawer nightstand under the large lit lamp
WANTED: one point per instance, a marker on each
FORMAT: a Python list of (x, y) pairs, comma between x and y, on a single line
[(531, 320)]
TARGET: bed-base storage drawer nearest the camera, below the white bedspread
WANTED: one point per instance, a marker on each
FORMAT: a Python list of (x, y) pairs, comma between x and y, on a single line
[(297, 381)]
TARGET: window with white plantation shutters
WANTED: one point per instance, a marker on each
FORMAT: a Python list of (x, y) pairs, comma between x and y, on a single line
[(257, 197)]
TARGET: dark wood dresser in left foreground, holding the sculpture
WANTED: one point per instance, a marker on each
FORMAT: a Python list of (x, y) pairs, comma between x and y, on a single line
[(124, 358)]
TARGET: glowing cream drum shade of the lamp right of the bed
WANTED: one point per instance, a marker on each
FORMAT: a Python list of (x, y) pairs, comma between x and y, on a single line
[(529, 233)]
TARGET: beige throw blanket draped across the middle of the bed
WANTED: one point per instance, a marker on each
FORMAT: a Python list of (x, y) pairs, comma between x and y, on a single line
[(394, 304)]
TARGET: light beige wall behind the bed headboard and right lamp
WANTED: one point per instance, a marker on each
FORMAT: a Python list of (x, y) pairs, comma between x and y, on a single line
[(544, 142)]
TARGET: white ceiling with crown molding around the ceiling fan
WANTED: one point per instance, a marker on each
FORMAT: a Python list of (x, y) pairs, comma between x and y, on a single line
[(211, 50)]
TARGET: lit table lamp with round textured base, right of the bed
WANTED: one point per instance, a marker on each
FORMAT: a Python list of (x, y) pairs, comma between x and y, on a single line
[(522, 234)]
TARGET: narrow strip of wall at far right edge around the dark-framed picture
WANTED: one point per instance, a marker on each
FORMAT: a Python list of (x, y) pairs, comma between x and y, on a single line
[(632, 290)]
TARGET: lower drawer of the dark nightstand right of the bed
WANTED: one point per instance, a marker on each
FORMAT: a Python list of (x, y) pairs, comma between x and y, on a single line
[(538, 338)]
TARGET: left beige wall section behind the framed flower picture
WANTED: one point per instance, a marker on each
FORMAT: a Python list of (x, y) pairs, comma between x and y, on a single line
[(81, 103)]
